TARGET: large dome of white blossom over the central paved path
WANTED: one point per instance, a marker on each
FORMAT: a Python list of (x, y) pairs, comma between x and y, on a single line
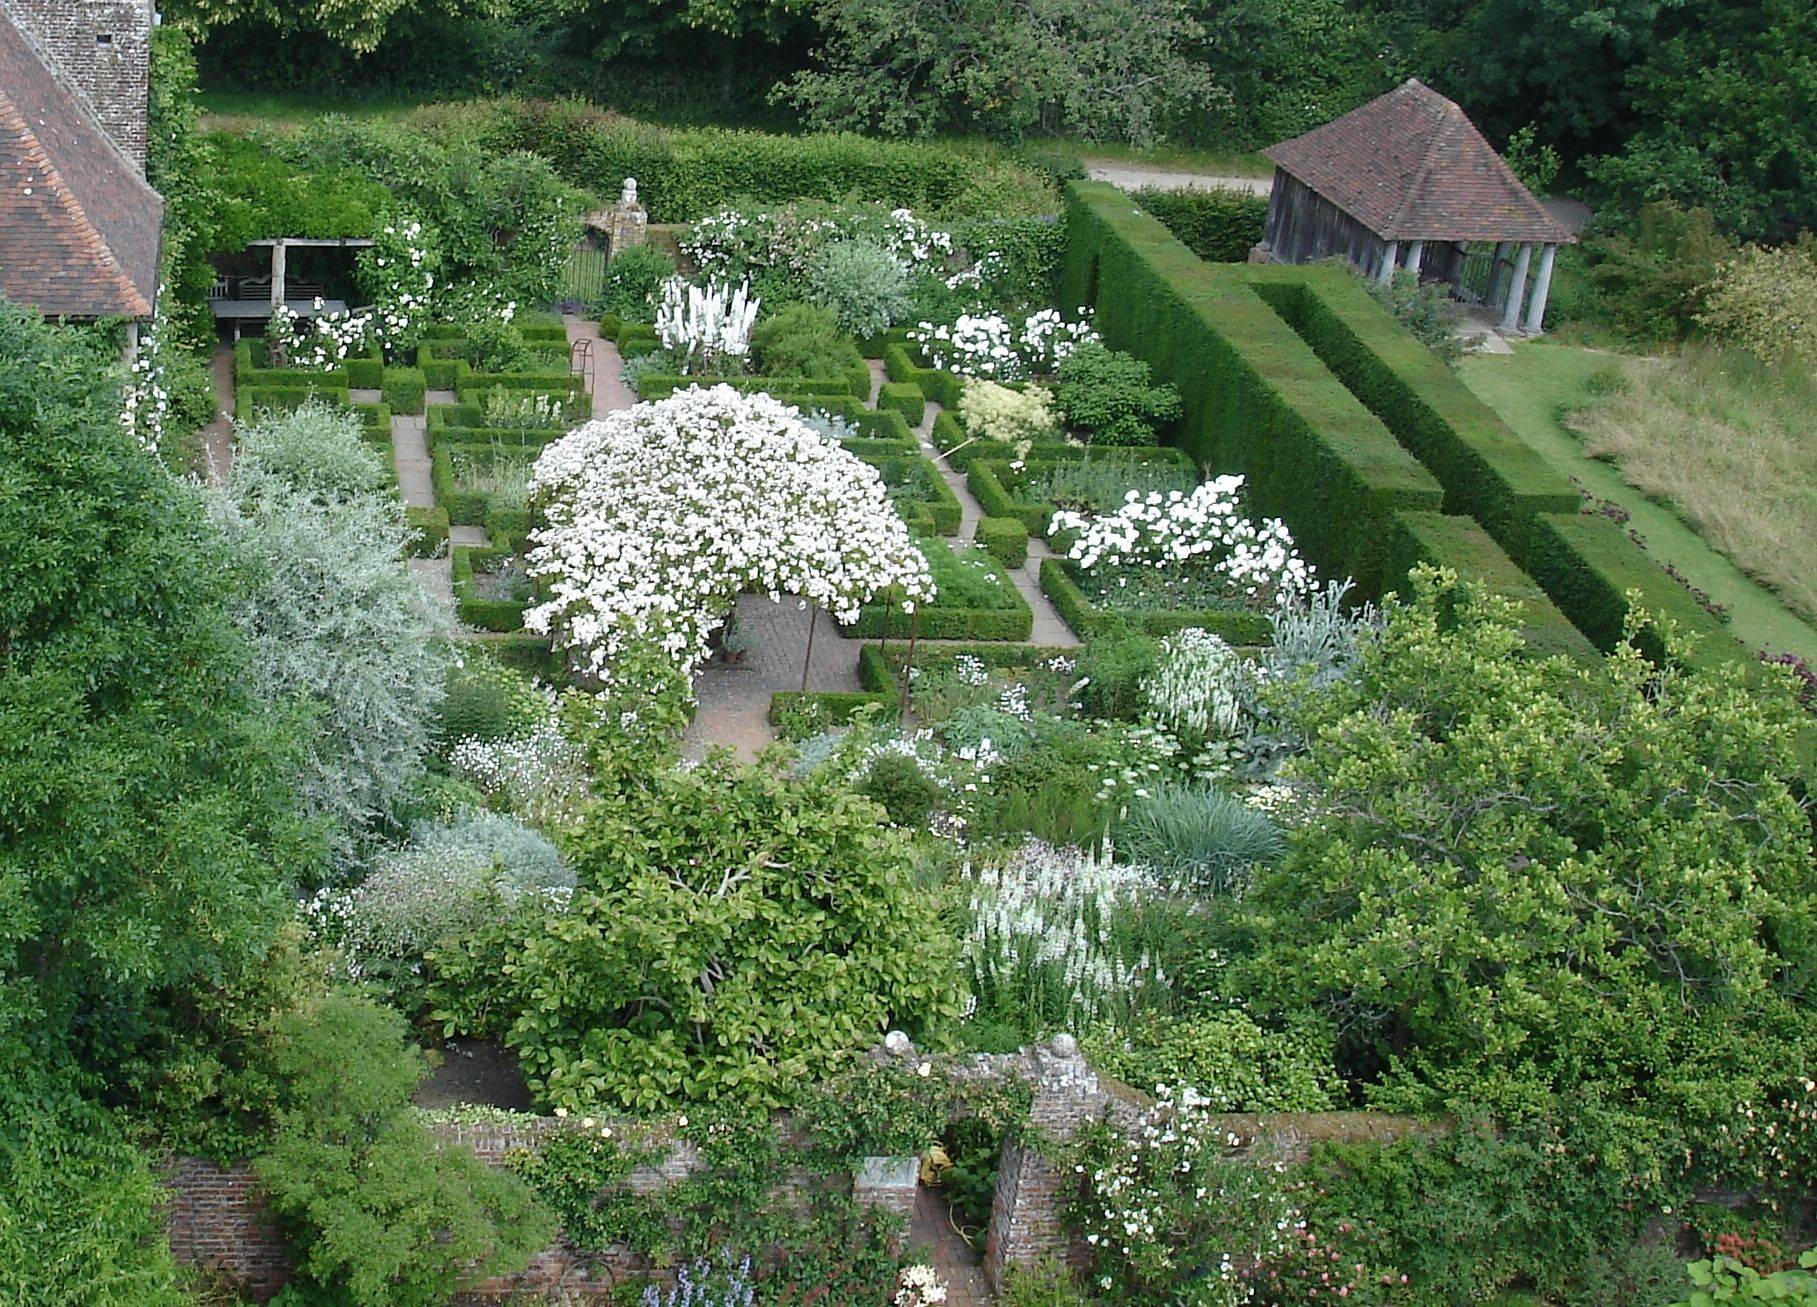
[(660, 515)]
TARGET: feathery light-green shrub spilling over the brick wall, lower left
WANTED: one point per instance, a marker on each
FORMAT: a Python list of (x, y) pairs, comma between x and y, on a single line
[(377, 1210)]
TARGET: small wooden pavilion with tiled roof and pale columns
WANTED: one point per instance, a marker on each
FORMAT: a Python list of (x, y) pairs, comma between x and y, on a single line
[(1409, 183)]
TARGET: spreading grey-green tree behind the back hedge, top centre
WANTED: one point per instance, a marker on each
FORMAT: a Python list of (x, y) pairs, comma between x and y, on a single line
[(1106, 70)]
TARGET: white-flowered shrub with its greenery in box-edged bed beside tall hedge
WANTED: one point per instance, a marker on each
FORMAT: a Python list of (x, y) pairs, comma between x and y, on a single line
[(1180, 550)]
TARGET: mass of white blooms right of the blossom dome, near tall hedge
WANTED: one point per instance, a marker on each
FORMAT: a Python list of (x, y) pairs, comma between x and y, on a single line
[(1206, 530)]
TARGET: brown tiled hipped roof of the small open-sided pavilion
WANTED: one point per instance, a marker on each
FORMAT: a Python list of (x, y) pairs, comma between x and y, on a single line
[(1411, 166)]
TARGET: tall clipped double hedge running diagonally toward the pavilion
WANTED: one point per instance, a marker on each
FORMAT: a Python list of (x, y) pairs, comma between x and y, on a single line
[(1356, 435)]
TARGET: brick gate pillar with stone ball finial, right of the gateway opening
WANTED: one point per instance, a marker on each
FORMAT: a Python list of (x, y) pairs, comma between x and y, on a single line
[(1033, 1192)]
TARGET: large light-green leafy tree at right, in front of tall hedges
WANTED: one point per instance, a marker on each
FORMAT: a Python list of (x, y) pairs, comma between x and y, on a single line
[(1545, 888)]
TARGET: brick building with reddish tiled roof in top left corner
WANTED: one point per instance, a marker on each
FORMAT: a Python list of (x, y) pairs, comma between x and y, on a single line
[(81, 228)]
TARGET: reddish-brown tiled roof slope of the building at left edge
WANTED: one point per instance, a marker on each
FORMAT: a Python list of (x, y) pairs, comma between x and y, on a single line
[(79, 226)]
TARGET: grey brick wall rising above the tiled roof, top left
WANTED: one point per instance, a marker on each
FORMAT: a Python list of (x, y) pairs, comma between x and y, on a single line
[(104, 48)]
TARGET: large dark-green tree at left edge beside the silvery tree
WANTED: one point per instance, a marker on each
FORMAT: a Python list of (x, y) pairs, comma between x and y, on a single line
[(146, 824)]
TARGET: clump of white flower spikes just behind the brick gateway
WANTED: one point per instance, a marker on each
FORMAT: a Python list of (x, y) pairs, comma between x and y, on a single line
[(1046, 935)]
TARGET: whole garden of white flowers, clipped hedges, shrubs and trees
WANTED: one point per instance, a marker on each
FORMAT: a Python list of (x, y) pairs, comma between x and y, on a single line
[(1246, 739)]
